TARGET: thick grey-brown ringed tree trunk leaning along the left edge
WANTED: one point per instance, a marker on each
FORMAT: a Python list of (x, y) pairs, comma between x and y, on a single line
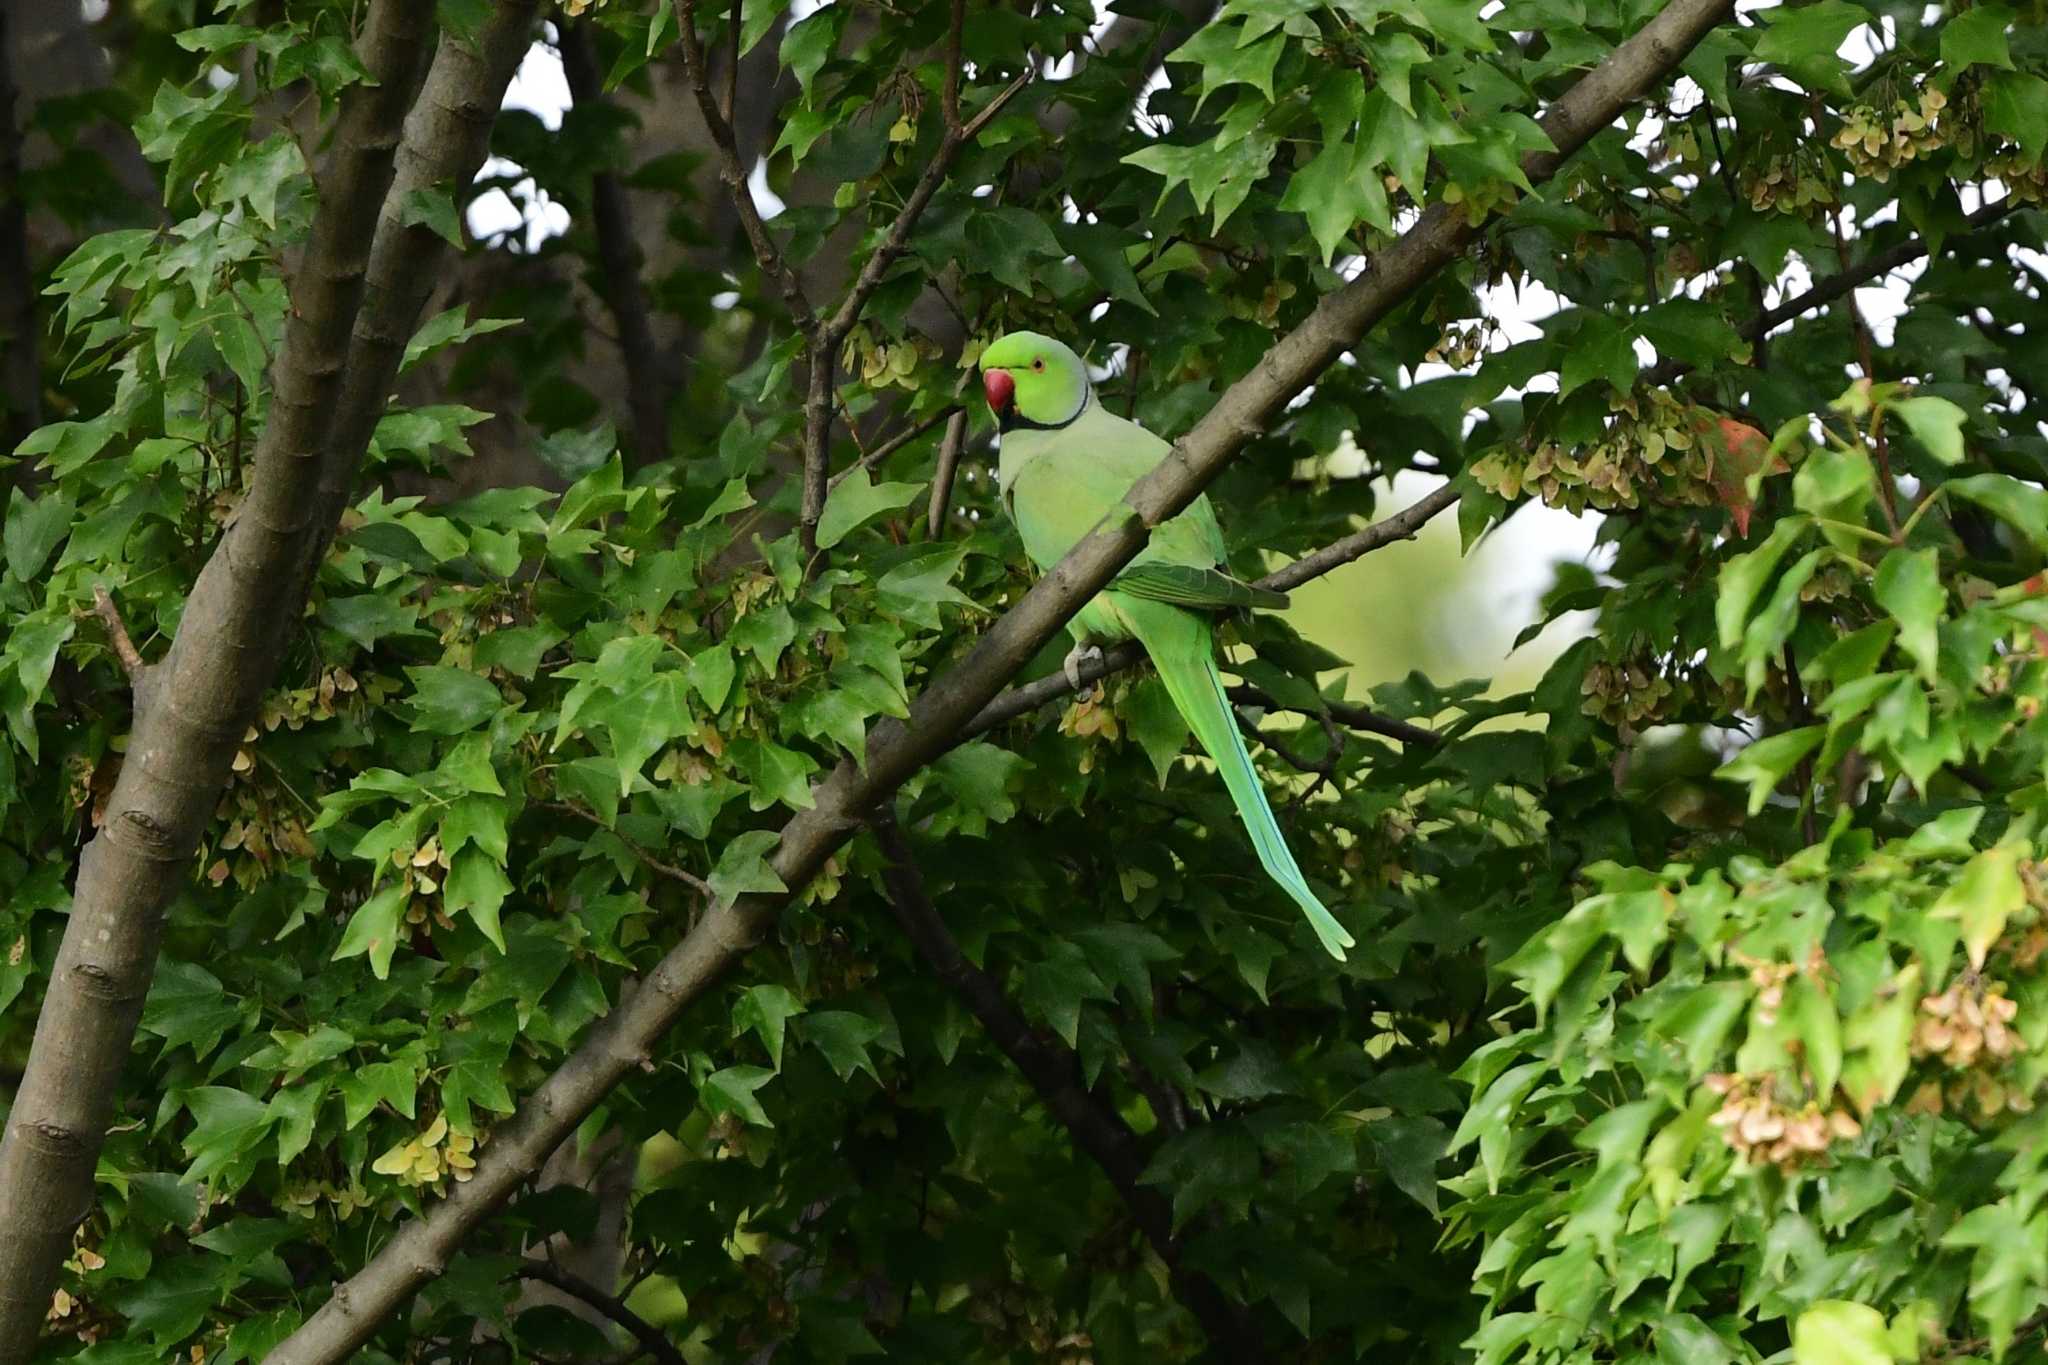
[(194, 709)]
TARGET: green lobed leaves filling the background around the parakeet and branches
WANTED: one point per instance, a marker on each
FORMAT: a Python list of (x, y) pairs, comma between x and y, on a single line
[(1697, 1010)]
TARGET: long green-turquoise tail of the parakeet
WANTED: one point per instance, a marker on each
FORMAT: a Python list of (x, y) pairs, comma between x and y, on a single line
[(1183, 650)]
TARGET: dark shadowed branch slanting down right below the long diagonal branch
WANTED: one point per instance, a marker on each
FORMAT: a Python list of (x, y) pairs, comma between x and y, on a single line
[(1054, 1073)]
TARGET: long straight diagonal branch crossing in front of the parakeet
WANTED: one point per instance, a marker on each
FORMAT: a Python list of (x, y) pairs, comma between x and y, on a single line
[(900, 748)]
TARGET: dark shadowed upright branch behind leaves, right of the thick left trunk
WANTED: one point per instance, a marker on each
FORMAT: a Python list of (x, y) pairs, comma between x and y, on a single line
[(620, 267)]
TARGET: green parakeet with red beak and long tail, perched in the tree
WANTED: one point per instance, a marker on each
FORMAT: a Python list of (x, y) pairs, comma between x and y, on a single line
[(1066, 461)]
